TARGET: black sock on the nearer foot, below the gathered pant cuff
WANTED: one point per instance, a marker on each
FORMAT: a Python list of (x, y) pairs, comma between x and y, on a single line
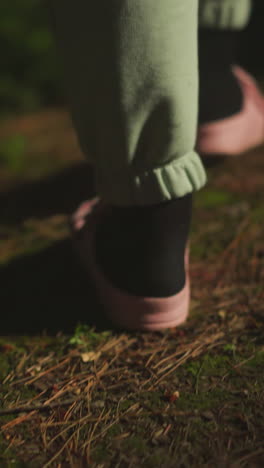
[(141, 249)]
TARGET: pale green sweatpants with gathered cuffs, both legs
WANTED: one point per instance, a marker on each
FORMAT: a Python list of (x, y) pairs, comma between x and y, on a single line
[(131, 77)]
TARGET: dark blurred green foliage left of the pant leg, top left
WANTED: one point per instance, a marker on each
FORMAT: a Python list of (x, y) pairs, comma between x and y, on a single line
[(29, 75)]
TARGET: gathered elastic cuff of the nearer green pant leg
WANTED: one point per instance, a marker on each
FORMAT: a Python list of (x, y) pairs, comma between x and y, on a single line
[(176, 179)]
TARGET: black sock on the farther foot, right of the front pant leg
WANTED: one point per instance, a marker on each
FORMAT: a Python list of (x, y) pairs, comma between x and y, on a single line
[(220, 95)]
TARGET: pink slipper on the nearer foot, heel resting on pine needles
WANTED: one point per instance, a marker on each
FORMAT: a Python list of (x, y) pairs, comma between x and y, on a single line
[(125, 310)]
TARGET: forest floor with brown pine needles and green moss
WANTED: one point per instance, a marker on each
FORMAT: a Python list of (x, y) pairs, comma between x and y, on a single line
[(76, 392)]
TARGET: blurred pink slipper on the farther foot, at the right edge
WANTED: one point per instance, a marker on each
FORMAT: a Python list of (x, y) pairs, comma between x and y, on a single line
[(241, 132)]
